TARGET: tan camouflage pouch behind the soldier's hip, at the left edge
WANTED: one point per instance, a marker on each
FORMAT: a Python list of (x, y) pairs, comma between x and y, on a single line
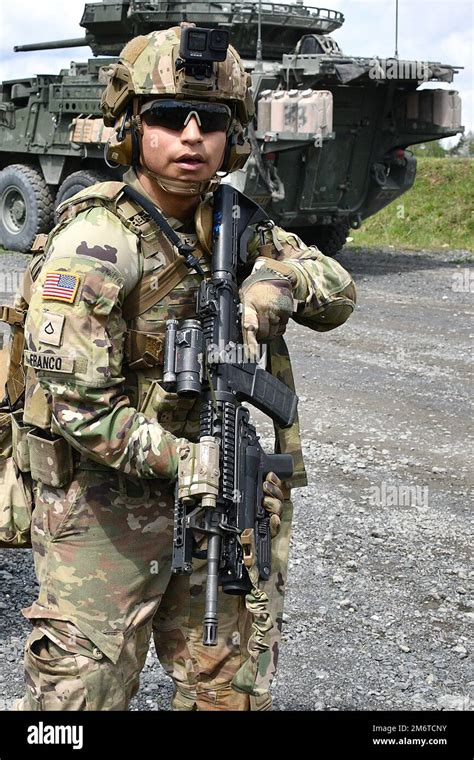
[(16, 493)]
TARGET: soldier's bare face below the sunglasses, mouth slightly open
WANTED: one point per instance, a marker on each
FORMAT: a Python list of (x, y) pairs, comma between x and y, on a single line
[(188, 154)]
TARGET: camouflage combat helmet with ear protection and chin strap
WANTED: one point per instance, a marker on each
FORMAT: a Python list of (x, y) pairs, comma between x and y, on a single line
[(150, 67)]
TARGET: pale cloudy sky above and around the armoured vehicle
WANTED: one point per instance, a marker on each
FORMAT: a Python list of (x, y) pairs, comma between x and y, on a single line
[(429, 30)]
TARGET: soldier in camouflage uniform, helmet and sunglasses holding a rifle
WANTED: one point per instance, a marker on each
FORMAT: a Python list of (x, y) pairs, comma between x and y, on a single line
[(108, 434)]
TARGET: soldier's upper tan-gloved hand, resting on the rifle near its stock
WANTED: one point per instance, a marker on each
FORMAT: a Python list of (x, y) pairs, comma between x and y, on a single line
[(267, 305)]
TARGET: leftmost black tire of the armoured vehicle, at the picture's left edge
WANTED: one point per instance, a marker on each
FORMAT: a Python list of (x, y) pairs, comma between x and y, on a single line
[(26, 206)]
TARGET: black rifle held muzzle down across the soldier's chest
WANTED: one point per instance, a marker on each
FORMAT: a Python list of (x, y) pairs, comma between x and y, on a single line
[(221, 497)]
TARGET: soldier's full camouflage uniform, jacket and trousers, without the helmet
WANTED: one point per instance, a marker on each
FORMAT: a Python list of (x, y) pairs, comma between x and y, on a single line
[(102, 538)]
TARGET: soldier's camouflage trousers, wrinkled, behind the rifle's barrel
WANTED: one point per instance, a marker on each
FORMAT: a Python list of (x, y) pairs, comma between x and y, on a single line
[(102, 550)]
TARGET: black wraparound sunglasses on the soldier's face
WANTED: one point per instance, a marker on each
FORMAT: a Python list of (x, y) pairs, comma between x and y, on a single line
[(175, 115)]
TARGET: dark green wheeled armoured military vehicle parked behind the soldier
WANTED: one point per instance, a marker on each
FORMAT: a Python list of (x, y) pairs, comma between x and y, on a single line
[(329, 139)]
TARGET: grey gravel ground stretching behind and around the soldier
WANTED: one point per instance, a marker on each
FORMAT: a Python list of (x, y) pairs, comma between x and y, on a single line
[(379, 595)]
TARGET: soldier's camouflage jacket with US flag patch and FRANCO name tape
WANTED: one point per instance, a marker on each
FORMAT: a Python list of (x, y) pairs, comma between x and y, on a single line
[(91, 377)]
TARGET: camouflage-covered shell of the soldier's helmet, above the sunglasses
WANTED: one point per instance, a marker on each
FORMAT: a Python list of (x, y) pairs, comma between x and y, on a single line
[(147, 68)]
